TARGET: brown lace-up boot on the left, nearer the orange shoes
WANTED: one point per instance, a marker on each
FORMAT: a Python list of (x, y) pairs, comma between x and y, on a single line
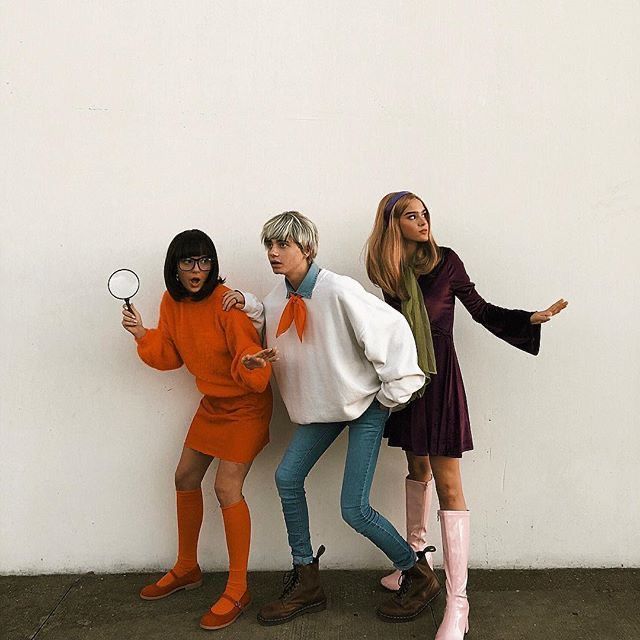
[(302, 593)]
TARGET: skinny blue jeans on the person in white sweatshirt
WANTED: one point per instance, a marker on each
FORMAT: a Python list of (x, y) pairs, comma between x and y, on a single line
[(309, 442)]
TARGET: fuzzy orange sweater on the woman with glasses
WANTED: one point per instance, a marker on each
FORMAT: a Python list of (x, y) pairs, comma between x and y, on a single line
[(209, 341)]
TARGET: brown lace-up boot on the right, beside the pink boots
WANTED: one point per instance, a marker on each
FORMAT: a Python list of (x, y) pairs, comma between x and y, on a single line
[(418, 587)]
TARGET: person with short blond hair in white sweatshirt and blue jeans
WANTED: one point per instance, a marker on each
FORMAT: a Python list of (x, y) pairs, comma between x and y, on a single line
[(346, 360)]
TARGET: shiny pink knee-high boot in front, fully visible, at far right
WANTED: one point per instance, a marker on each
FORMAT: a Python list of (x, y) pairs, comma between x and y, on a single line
[(455, 526)]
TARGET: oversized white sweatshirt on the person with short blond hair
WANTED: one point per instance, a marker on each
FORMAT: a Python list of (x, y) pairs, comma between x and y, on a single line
[(355, 347)]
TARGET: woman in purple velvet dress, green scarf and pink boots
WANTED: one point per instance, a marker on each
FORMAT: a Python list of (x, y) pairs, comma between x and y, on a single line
[(416, 275)]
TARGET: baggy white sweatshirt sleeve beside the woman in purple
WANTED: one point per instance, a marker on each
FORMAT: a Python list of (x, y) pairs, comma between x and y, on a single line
[(386, 339)]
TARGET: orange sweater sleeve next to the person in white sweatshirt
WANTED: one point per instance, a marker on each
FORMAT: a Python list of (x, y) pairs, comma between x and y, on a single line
[(242, 339)]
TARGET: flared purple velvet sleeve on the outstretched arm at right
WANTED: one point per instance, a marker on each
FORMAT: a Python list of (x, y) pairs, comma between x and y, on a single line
[(511, 325)]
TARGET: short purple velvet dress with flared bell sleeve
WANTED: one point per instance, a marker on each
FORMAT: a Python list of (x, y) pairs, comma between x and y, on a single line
[(438, 423)]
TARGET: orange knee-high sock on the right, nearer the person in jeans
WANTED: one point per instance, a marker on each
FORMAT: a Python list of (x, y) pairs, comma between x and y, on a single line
[(237, 529)]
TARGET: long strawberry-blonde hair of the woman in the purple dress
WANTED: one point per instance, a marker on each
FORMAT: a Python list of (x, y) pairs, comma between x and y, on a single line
[(385, 249)]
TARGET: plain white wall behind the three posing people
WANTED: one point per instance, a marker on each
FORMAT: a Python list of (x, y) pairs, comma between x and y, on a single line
[(124, 123)]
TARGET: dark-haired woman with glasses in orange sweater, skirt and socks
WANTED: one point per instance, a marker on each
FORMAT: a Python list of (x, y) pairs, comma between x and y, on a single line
[(231, 423)]
